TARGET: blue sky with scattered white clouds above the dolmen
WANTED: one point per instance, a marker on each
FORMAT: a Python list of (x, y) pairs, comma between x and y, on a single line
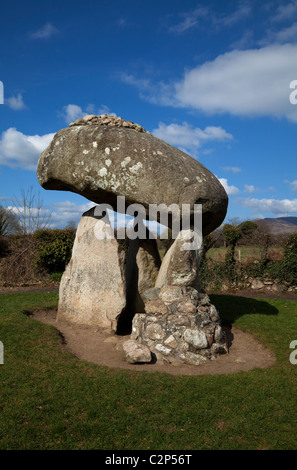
[(210, 77)]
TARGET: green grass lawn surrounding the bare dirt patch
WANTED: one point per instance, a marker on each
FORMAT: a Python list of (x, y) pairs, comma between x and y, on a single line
[(50, 399)]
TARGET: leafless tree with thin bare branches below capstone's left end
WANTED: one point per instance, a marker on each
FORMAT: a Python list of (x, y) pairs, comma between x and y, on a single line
[(30, 212)]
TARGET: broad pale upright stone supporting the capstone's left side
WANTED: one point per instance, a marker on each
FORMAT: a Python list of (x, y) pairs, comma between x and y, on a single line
[(93, 286)]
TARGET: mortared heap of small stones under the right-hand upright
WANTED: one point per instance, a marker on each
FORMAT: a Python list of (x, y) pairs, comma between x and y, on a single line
[(180, 326)]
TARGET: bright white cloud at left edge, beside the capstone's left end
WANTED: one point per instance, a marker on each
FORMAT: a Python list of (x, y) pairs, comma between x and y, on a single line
[(20, 150)]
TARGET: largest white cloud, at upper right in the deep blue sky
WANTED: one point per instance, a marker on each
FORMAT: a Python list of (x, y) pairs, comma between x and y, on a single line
[(253, 82)]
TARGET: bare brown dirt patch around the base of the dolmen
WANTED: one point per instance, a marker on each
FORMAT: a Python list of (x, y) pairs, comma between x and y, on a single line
[(103, 347)]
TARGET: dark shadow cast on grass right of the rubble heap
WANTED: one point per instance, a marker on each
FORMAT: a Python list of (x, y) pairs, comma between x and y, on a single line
[(233, 307)]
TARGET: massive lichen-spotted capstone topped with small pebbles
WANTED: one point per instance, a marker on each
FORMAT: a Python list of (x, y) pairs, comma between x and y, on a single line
[(105, 157)]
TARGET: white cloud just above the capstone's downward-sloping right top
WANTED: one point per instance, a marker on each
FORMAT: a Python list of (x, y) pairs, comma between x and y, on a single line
[(190, 138)]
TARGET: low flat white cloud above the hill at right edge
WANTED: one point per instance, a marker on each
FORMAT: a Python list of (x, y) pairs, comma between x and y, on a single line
[(275, 206)]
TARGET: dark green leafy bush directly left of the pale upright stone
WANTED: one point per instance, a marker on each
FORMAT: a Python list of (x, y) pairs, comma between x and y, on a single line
[(54, 249)]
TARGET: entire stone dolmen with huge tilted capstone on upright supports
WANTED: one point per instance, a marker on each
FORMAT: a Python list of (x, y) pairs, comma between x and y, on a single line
[(115, 278)]
